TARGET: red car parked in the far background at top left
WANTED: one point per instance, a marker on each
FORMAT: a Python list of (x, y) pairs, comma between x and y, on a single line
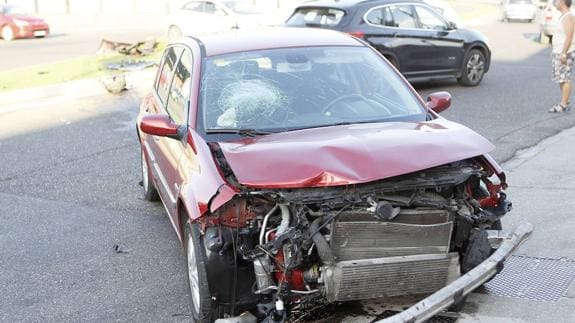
[(15, 23)]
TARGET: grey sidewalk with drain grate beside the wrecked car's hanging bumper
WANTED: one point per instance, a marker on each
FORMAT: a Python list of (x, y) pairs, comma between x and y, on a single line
[(541, 186)]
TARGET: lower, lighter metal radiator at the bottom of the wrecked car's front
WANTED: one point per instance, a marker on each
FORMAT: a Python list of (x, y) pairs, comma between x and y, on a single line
[(390, 277)]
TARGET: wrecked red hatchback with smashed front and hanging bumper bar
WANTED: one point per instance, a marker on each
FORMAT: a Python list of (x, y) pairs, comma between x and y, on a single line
[(299, 166)]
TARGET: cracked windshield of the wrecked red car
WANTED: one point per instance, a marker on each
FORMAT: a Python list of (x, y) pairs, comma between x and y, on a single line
[(295, 88)]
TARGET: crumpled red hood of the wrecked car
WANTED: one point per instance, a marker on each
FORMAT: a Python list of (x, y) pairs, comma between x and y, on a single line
[(349, 154)]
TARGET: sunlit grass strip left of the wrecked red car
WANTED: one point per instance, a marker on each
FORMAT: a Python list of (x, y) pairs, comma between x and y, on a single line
[(68, 70)]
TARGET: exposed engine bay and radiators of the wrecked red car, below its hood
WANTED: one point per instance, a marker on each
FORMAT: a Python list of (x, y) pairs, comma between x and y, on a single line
[(409, 235)]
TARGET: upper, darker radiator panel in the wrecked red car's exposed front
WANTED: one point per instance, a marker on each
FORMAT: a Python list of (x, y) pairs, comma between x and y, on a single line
[(412, 232)]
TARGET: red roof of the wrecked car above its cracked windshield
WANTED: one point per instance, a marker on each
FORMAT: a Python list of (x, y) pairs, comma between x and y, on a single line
[(283, 37)]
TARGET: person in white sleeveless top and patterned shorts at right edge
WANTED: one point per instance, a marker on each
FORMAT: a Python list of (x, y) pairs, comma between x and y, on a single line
[(563, 55)]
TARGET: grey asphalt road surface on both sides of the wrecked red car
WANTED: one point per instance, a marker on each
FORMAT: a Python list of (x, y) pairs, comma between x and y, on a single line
[(69, 193)]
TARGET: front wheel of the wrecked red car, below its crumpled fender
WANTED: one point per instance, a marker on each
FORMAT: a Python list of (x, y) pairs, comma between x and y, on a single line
[(203, 309)]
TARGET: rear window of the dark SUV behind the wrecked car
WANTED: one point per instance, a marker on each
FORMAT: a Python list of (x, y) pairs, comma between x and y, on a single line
[(316, 17)]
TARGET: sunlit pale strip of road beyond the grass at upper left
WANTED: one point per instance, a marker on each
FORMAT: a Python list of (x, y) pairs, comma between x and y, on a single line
[(60, 46)]
